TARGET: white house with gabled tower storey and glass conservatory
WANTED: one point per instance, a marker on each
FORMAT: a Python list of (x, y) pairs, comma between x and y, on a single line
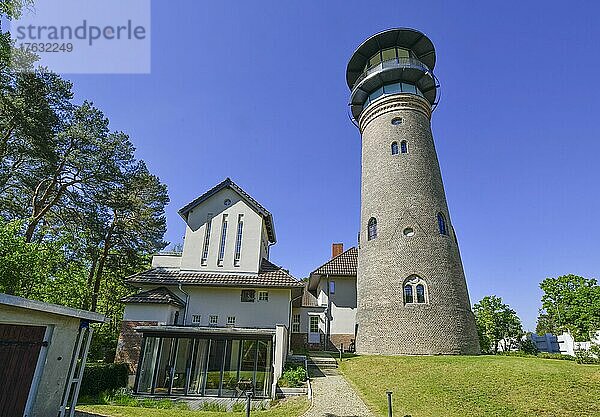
[(213, 320)]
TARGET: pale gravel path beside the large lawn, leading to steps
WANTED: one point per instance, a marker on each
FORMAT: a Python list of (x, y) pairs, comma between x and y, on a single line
[(334, 397)]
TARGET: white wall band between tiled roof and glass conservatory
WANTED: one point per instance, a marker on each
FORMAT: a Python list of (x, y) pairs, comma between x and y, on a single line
[(225, 302)]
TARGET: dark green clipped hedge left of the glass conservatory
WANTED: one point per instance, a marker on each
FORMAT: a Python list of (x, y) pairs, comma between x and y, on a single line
[(99, 377)]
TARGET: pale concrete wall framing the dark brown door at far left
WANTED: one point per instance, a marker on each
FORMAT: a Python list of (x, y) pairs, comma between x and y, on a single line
[(62, 332)]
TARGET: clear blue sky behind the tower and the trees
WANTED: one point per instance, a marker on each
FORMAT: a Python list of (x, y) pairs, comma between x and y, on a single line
[(256, 91)]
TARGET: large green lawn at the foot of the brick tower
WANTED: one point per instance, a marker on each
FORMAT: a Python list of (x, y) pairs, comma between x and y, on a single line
[(476, 386)]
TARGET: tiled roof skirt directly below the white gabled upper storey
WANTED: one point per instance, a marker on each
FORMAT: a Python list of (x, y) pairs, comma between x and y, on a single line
[(270, 275)]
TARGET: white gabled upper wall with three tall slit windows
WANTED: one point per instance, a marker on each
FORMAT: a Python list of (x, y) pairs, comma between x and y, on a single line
[(196, 229)]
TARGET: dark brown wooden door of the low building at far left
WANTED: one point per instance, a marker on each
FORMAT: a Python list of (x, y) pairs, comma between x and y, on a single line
[(19, 351)]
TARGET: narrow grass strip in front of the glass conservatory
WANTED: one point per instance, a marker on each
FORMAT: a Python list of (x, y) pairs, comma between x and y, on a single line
[(288, 408)]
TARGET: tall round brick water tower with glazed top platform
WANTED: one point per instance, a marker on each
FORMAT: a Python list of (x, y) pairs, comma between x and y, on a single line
[(412, 293)]
